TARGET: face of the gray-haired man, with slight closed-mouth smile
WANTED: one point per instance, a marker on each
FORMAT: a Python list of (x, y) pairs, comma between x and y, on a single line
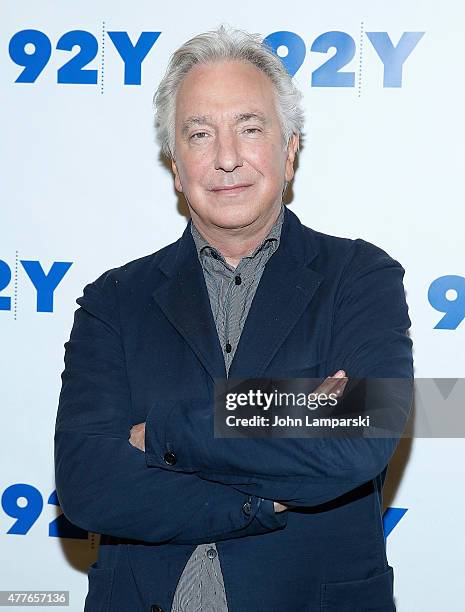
[(231, 162)]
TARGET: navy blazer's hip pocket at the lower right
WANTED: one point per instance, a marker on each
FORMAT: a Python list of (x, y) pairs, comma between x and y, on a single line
[(373, 594)]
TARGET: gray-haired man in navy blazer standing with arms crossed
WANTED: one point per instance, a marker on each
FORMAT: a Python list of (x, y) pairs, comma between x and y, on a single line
[(190, 521)]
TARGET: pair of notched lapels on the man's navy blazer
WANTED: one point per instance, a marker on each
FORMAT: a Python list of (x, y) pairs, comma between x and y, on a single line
[(286, 288)]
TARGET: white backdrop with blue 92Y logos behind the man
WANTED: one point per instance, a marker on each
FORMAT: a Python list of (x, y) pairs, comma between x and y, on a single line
[(84, 189)]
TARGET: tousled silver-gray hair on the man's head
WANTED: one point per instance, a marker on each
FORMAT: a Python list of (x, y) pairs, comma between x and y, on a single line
[(225, 45)]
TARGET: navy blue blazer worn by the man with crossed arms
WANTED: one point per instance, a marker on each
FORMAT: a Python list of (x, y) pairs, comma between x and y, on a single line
[(144, 347)]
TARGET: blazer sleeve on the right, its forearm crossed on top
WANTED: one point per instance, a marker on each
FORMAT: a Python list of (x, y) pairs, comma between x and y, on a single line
[(369, 340)]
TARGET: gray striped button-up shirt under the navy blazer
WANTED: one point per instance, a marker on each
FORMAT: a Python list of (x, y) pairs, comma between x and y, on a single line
[(231, 291)]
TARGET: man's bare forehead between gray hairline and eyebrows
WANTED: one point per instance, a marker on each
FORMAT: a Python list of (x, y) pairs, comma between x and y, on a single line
[(225, 88)]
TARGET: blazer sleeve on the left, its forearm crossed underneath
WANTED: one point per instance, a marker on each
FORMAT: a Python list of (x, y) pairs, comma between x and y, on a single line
[(104, 484)]
